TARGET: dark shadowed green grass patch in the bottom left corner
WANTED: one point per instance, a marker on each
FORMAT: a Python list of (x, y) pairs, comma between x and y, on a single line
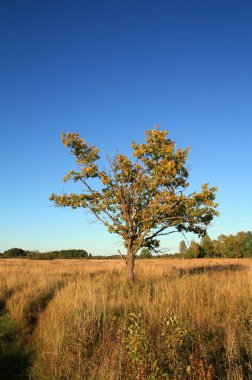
[(14, 359)]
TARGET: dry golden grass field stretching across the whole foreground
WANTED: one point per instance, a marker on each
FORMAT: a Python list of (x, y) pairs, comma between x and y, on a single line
[(80, 319)]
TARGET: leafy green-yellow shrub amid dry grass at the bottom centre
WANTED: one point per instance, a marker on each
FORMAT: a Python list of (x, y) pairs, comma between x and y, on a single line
[(163, 356)]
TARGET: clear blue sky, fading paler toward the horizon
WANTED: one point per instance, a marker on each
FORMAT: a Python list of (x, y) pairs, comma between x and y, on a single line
[(110, 70)]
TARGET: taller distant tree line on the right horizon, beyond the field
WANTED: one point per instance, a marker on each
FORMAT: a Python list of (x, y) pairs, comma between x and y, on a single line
[(233, 246)]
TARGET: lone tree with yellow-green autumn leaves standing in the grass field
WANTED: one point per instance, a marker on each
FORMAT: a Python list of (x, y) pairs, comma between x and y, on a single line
[(142, 197)]
